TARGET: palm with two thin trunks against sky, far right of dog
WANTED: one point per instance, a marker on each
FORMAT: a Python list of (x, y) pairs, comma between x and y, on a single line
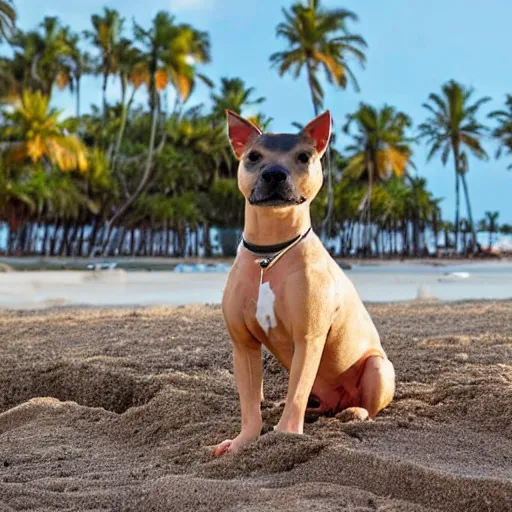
[(451, 129)]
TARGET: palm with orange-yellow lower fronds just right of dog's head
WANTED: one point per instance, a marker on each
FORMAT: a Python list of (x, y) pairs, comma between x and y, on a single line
[(380, 149)]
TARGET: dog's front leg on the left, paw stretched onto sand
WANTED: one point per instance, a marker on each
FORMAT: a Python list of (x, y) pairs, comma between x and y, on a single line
[(248, 376)]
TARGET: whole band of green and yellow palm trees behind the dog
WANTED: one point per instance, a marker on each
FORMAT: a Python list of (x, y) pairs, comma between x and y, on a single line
[(155, 179)]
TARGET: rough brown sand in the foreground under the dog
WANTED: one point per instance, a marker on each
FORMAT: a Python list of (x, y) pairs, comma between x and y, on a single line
[(118, 409)]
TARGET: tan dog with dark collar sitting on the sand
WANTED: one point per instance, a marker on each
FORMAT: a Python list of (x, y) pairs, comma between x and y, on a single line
[(285, 291)]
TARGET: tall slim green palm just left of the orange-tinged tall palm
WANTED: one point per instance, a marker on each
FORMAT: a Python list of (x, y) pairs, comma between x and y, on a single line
[(107, 30)]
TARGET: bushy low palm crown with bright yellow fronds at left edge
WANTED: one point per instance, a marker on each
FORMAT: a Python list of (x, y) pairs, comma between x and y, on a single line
[(35, 135)]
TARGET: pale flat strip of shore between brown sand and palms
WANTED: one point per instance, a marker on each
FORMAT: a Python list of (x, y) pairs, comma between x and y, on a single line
[(158, 283)]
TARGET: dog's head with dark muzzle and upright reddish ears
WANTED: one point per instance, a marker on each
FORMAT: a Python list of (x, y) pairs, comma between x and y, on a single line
[(279, 170)]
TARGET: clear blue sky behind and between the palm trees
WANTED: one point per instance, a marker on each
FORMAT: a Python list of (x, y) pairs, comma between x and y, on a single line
[(413, 48)]
